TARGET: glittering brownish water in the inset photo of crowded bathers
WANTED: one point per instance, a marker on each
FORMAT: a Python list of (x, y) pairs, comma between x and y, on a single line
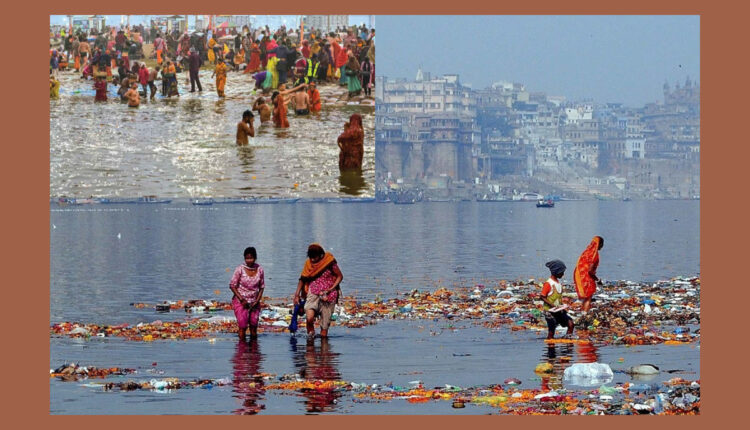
[(185, 146)]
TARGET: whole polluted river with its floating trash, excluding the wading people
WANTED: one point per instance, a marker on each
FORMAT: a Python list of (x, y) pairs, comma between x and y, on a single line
[(140, 321)]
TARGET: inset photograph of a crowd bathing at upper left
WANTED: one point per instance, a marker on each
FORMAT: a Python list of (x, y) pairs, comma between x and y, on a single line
[(212, 106)]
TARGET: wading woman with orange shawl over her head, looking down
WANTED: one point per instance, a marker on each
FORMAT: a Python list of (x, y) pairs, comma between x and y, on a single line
[(319, 286)]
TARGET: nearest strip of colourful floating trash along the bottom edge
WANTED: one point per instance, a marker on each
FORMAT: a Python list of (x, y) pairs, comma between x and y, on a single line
[(674, 397)]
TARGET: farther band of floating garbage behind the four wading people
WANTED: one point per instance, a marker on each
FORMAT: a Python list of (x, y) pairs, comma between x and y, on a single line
[(619, 317)]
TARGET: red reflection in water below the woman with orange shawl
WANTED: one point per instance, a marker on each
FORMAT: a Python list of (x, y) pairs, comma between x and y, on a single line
[(317, 363)]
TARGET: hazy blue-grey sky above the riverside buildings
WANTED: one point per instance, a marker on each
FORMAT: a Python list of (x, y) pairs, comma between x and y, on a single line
[(605, 58)]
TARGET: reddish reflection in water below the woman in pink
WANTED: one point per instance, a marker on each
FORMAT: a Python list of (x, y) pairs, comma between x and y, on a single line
[(247, 382)]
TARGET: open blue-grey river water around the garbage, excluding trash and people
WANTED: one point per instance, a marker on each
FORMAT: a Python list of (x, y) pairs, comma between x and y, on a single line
[(105, 257)]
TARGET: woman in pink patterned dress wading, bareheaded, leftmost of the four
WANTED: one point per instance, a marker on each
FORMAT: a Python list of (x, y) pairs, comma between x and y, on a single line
[(247, 284)]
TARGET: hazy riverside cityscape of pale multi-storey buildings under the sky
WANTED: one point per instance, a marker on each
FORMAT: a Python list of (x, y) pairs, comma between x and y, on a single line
[(437, 138)]
